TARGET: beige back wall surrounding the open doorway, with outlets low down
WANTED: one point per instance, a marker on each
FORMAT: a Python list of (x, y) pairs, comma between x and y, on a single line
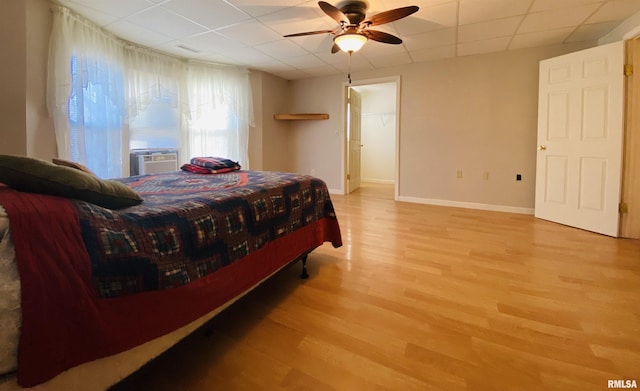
[(475, 114)]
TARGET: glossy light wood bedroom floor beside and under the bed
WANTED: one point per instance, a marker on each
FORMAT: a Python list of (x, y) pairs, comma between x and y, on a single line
[(427, 298)]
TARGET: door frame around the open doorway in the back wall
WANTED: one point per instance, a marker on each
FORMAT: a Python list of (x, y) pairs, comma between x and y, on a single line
[(345, 162)]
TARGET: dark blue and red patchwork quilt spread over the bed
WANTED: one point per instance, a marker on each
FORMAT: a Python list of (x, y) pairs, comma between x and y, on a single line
[(190, 225)]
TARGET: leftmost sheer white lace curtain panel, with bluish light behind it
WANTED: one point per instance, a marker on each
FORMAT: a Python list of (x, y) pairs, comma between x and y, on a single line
[(84, 64)]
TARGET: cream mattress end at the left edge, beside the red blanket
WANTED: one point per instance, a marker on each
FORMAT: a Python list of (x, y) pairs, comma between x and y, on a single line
[(10, 314)]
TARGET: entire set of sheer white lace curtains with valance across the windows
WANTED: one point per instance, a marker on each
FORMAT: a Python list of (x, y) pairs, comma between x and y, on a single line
[(98, 85)]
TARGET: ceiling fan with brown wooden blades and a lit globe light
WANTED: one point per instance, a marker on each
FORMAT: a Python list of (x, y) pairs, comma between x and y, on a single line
[(353, 25)]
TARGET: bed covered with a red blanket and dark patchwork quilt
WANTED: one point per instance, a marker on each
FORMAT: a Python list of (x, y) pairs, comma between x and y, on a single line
[(103, 290)]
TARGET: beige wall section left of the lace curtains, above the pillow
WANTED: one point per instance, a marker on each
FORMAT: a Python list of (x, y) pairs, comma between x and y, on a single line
[(26, 128)]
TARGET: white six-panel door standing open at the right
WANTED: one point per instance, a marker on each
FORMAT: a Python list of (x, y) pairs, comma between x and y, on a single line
[(580, 133)]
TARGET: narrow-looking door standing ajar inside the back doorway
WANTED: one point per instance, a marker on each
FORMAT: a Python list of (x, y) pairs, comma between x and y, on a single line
[(355, 140)]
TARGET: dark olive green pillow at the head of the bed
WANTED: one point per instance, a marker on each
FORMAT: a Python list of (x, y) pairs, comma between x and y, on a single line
[(39, 176)]
